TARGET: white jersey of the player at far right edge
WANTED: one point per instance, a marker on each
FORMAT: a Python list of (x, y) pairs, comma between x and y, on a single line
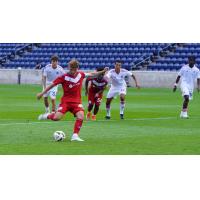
[(188, 76)]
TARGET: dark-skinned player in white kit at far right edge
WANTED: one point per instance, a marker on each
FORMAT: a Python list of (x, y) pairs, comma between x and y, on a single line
[(188, 74)]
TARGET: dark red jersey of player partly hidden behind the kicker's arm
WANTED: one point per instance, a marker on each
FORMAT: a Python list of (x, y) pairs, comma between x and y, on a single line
[(97, 84)]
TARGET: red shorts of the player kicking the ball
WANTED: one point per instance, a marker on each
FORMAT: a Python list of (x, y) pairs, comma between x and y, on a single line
[(71, 107)]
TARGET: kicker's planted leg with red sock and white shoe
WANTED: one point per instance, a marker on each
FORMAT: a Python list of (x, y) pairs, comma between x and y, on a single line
[(78, 124)]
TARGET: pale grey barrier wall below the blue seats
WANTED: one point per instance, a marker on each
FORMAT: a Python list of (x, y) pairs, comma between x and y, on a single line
[(153, 79)]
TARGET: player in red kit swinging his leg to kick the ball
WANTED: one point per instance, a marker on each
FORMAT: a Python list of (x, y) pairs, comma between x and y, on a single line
[(71, 100)]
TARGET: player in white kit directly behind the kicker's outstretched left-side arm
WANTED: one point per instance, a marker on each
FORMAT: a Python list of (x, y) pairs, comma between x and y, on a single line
[(50, 73)]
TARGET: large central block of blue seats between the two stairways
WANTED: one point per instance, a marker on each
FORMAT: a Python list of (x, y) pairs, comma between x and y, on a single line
[(89, 55)]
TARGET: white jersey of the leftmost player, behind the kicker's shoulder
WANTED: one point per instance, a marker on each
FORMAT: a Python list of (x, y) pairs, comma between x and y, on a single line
[(51, 74)]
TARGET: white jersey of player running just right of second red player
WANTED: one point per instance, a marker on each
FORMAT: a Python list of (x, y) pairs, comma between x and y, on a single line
[(118, 80)]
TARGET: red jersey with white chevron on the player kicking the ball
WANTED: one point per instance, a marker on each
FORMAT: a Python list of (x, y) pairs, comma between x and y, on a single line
[(72, 85)]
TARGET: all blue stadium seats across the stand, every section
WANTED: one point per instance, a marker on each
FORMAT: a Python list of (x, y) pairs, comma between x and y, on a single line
[(92, 55)]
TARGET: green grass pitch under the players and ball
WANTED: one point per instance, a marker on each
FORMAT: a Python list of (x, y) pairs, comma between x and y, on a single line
[(151, 125)]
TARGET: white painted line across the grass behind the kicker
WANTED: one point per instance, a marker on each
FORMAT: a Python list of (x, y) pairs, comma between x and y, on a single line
[(112, 120)]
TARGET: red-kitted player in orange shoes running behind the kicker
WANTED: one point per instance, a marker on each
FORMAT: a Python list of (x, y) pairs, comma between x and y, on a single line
[(95, 93)]
